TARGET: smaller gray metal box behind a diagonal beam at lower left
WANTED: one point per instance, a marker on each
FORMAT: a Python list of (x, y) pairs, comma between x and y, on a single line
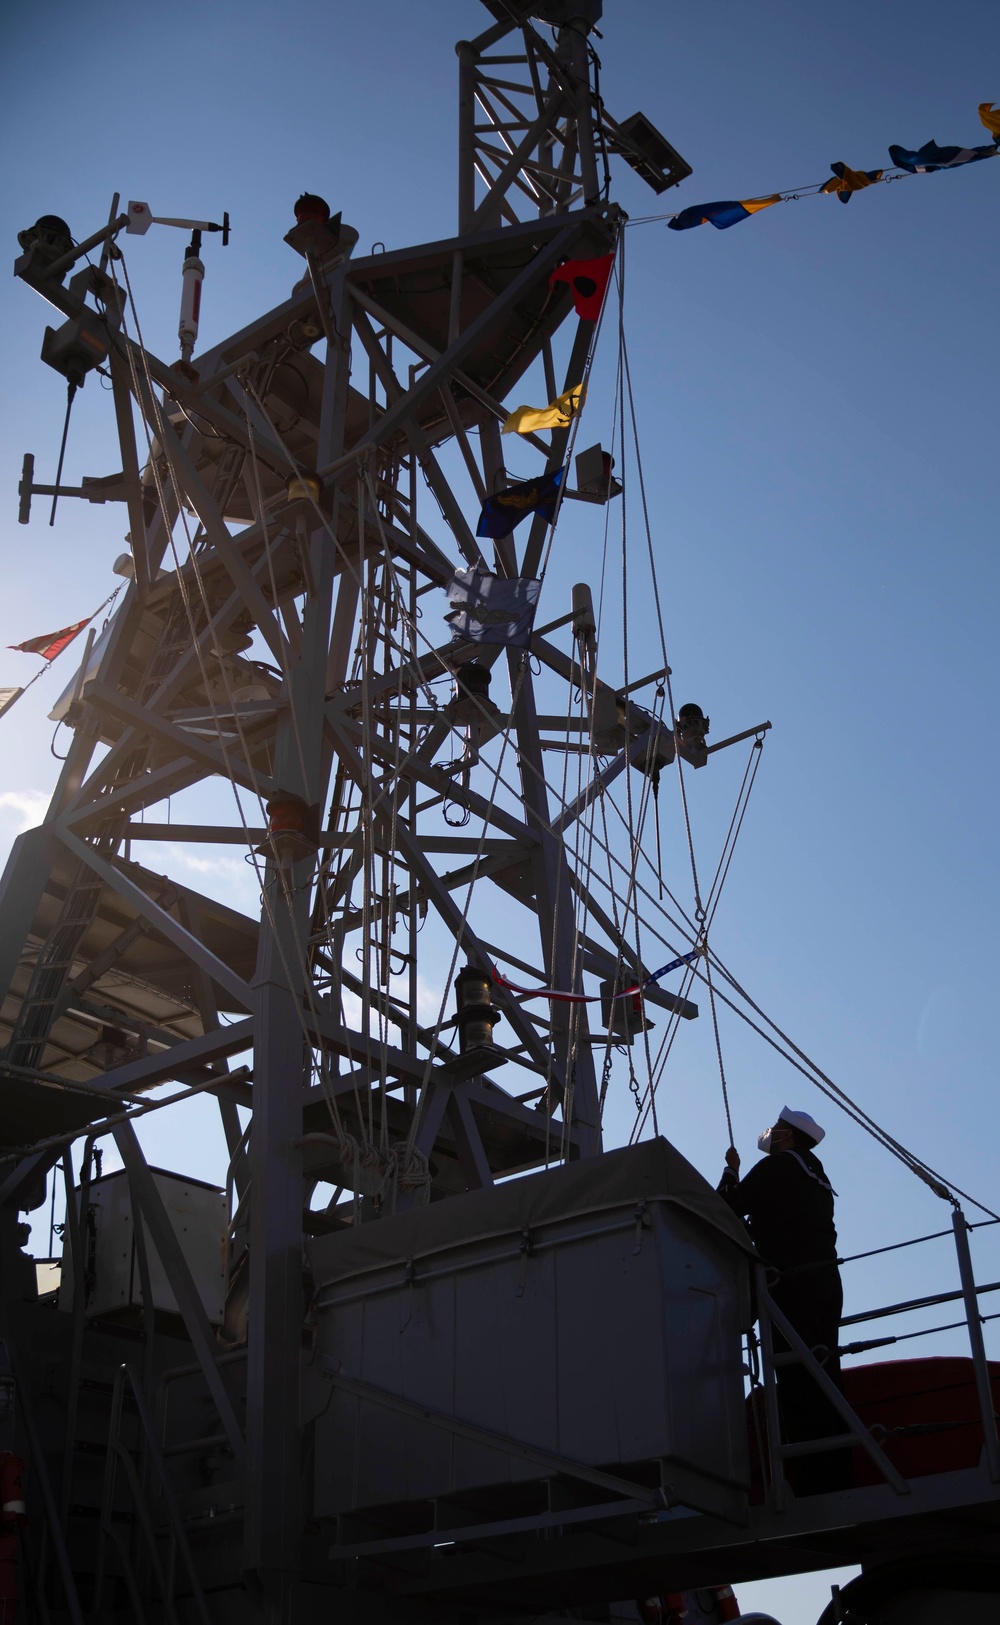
[(198, 1213)]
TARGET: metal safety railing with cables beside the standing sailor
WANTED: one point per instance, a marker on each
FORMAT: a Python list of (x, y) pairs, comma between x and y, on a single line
[(776, 1449)]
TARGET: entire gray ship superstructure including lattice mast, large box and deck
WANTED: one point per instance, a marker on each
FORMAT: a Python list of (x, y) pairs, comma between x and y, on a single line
[(414, 1403)]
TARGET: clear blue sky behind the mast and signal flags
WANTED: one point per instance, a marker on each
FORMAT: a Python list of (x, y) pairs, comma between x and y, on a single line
[(819, 425)]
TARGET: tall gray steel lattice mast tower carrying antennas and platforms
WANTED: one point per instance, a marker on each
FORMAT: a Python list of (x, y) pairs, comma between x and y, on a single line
[(276, 649)]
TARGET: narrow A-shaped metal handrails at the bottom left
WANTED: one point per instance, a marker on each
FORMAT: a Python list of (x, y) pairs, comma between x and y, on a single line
[(120, 1457)]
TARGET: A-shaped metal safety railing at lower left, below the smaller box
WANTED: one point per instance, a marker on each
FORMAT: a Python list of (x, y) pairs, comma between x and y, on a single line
[(162, 1567)]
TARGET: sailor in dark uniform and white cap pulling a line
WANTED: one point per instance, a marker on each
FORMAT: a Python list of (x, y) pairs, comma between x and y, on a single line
[(789, 1208)]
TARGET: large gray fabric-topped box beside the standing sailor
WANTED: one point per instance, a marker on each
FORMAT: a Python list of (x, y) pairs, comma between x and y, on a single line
[(593, 1312)]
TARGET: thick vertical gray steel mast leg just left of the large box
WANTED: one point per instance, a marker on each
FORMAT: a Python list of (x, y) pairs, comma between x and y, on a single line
[(274, 1489)]
